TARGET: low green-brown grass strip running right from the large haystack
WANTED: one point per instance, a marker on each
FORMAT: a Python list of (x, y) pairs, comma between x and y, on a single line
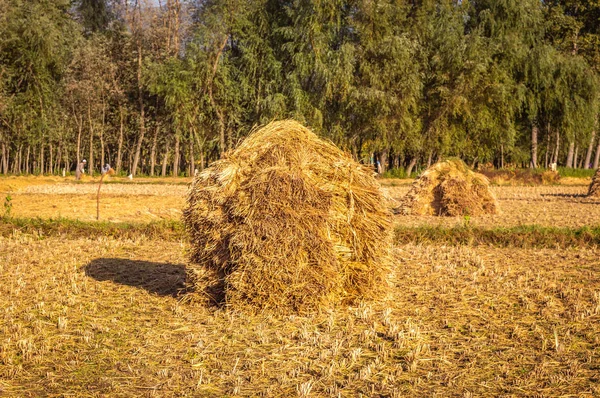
[(526, 236)]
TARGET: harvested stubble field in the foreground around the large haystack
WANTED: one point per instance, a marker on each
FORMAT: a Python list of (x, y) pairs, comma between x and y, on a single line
[(102, 318)]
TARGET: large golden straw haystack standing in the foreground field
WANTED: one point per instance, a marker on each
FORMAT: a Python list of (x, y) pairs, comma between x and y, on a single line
[(287, 221)]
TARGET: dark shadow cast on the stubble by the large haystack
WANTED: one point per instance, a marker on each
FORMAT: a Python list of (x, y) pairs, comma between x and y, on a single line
[(163, 279)]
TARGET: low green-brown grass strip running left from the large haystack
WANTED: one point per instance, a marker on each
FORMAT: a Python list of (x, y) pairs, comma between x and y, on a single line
[(165, 230)]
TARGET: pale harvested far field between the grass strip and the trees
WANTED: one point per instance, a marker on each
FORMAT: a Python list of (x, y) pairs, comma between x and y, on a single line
[(552, 205)]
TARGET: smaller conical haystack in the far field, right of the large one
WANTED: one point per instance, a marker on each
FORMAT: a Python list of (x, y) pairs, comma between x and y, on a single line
[(449, 188)]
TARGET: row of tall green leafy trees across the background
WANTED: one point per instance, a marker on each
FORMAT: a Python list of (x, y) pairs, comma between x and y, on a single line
[(163, 87)]
